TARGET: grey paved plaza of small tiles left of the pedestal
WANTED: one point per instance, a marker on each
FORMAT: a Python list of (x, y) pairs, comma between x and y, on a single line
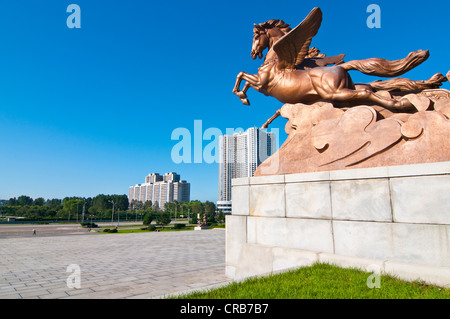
[(140, 265)]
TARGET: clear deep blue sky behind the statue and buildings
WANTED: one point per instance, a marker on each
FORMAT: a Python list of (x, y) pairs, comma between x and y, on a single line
[(91, 110)]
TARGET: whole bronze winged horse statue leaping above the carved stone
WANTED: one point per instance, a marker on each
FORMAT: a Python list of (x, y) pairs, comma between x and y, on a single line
[(293, 72)]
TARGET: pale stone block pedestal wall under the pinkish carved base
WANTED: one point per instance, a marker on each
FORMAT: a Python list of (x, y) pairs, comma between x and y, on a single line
[(397, 218)]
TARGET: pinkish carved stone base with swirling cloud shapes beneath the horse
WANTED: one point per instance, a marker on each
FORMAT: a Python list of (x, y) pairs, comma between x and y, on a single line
[(322, 137)]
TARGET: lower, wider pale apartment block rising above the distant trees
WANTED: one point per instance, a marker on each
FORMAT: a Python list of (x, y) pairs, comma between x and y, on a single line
[(161, 189)]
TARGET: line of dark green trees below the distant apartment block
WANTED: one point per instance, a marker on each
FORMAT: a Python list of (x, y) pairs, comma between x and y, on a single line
[(100, 208)]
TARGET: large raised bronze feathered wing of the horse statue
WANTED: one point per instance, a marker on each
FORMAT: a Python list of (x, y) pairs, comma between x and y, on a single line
[(293, 47)]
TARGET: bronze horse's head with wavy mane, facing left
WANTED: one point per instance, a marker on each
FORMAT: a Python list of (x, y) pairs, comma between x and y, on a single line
[(266, 34)]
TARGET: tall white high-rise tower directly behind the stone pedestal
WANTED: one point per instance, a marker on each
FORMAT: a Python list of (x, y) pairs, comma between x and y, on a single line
[(240, 154)]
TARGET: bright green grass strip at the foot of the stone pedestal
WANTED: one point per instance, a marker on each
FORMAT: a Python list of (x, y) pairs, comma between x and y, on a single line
[(322, 281)]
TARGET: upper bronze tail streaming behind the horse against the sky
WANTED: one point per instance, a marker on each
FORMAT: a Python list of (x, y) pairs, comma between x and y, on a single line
[(387, 68)]
